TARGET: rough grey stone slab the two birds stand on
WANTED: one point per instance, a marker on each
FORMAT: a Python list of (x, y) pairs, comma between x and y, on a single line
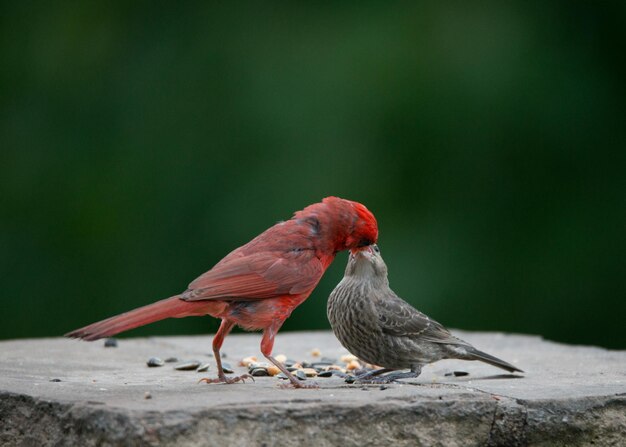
[(569, 395)]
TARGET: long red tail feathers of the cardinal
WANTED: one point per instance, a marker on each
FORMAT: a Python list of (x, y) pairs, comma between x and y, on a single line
[(172, 307)]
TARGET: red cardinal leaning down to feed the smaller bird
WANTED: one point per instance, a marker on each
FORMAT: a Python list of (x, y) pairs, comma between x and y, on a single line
[(258, 285)]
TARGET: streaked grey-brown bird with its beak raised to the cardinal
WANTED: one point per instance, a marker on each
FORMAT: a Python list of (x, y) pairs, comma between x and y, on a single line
[(380, 328)]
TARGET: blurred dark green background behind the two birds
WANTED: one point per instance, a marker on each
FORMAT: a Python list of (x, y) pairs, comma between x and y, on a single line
[(141, 142)]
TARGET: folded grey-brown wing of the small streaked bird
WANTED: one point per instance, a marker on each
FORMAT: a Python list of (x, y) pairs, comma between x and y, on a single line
[(398, 318)]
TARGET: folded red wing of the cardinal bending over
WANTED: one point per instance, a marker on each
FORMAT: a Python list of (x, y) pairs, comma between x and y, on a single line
[(259, 275)]
